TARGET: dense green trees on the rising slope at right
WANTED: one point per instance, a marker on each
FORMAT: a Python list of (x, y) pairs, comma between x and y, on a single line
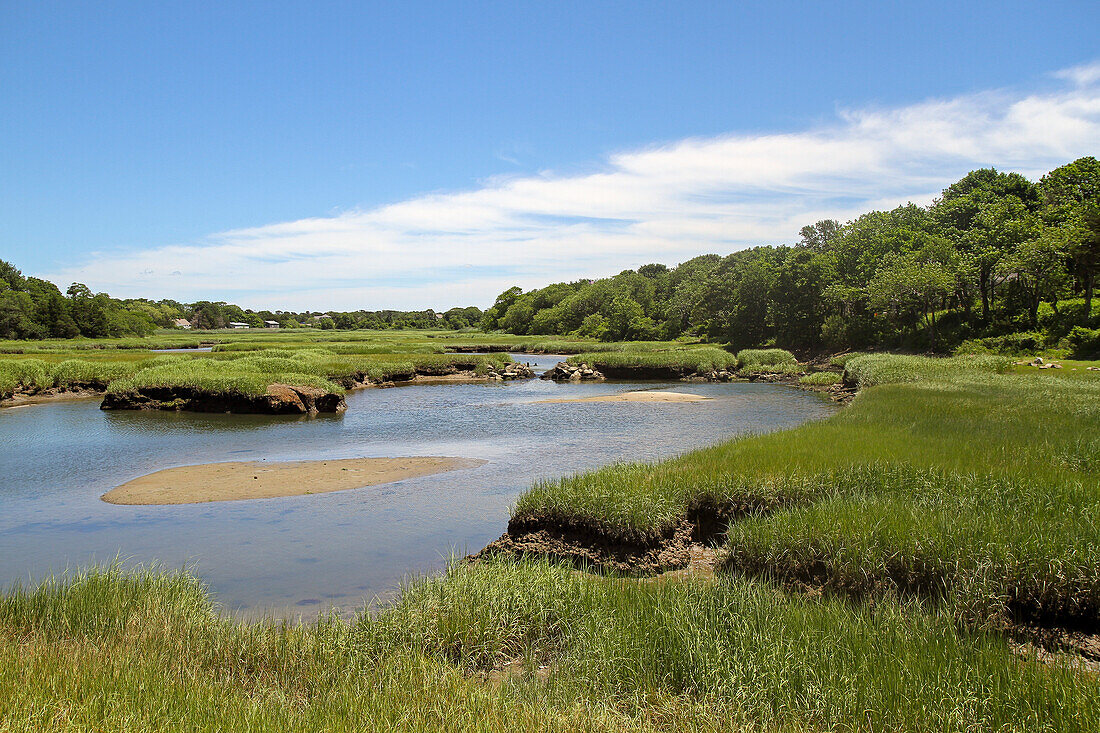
[(994, 255)]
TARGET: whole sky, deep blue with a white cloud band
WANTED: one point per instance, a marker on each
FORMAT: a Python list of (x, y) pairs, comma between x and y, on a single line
[(345, 156)]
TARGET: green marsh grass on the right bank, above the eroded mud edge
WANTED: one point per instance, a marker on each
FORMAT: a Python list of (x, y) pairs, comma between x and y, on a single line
[(969, 483)]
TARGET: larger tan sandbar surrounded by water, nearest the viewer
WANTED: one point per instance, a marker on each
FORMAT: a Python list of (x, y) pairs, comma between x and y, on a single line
[(233, 482)]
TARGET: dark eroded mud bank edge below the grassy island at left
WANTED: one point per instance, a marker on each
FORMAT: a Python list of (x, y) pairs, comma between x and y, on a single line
[(279, 400)]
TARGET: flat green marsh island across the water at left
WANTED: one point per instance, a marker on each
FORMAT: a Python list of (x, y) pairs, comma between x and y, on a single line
[(277, 373)]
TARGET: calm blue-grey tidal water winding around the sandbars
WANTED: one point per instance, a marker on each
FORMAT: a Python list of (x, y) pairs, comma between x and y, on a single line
[(299, 555)]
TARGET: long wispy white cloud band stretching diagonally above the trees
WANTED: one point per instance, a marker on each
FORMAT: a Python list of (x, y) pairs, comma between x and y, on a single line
[(667, 203)]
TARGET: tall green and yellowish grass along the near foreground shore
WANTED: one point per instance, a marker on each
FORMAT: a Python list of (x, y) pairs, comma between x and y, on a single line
[(146, 651)]
